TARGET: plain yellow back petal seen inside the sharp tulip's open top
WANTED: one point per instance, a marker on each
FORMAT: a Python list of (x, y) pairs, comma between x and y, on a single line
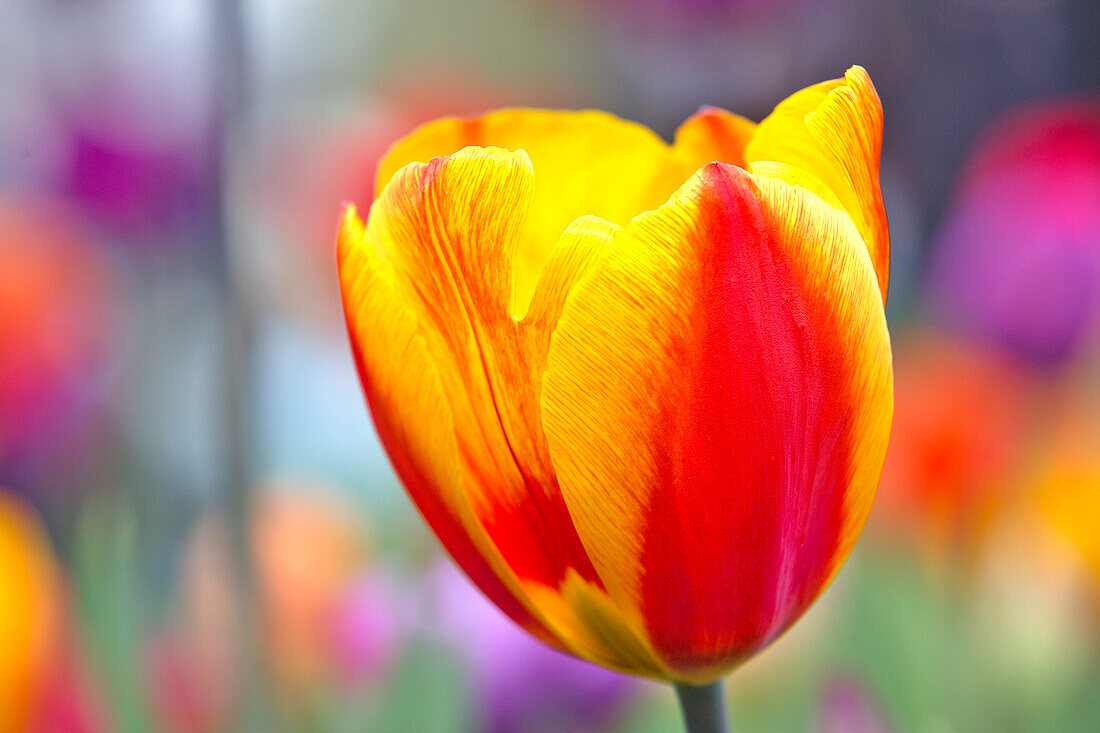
[(588, 163)]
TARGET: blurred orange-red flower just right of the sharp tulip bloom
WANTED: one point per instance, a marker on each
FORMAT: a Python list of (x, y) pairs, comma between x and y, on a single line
[(960, 430)]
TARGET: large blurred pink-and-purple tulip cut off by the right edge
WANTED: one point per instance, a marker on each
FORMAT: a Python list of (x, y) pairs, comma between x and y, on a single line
[(1017, 260)]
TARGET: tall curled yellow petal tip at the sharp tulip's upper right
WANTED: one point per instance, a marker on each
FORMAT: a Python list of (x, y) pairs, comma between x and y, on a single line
[(829, 138)]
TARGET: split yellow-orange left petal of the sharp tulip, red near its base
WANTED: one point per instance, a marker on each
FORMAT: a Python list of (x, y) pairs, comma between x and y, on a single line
[(453, 381)]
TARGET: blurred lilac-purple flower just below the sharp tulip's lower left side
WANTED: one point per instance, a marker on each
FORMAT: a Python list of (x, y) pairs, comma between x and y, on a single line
[(520, 683)]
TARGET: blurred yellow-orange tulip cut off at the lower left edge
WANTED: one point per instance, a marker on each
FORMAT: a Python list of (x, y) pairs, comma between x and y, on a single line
[(29, 608)]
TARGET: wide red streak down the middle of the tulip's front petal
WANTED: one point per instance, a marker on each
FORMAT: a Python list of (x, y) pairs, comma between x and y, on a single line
[(757, 480)]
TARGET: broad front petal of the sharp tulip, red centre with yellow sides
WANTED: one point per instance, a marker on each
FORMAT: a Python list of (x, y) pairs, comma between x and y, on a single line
[(718, 406)]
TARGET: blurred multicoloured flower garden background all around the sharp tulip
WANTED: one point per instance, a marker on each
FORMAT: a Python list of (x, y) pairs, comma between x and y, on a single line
[(199, 529)]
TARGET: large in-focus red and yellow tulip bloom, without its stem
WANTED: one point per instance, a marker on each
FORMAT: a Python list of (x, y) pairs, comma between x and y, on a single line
[(641, 392)]
